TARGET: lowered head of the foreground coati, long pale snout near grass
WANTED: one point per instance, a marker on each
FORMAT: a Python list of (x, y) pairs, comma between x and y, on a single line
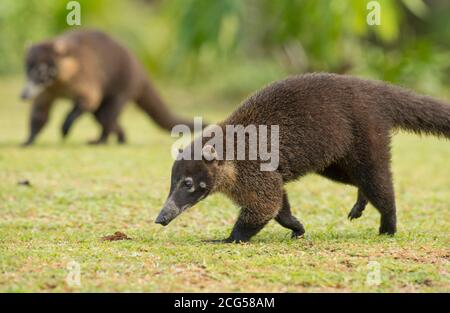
[(191, 181)]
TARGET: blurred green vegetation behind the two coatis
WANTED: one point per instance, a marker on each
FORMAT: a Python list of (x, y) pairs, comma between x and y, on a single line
[(236, 46)]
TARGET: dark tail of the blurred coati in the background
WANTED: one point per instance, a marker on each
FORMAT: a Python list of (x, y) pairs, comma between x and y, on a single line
[(154, 106)]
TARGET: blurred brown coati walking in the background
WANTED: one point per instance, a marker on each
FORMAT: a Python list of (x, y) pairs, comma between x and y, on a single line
[(98, 74)]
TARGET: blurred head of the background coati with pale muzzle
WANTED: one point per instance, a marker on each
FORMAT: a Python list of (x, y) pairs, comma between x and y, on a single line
[(44, 65)]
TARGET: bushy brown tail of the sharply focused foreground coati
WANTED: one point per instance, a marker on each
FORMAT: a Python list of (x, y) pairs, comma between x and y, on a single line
[(419, 114)]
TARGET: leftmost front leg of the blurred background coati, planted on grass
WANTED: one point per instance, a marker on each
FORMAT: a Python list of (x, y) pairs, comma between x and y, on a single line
[(39, 116)]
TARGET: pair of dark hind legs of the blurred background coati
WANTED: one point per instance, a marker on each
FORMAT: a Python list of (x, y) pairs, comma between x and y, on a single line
[(107, 116)]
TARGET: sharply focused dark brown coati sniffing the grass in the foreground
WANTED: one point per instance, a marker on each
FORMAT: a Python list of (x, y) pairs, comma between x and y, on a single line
[(335, 126)]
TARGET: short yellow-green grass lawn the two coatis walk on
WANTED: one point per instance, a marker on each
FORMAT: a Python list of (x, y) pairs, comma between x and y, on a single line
[(81, 193)]
